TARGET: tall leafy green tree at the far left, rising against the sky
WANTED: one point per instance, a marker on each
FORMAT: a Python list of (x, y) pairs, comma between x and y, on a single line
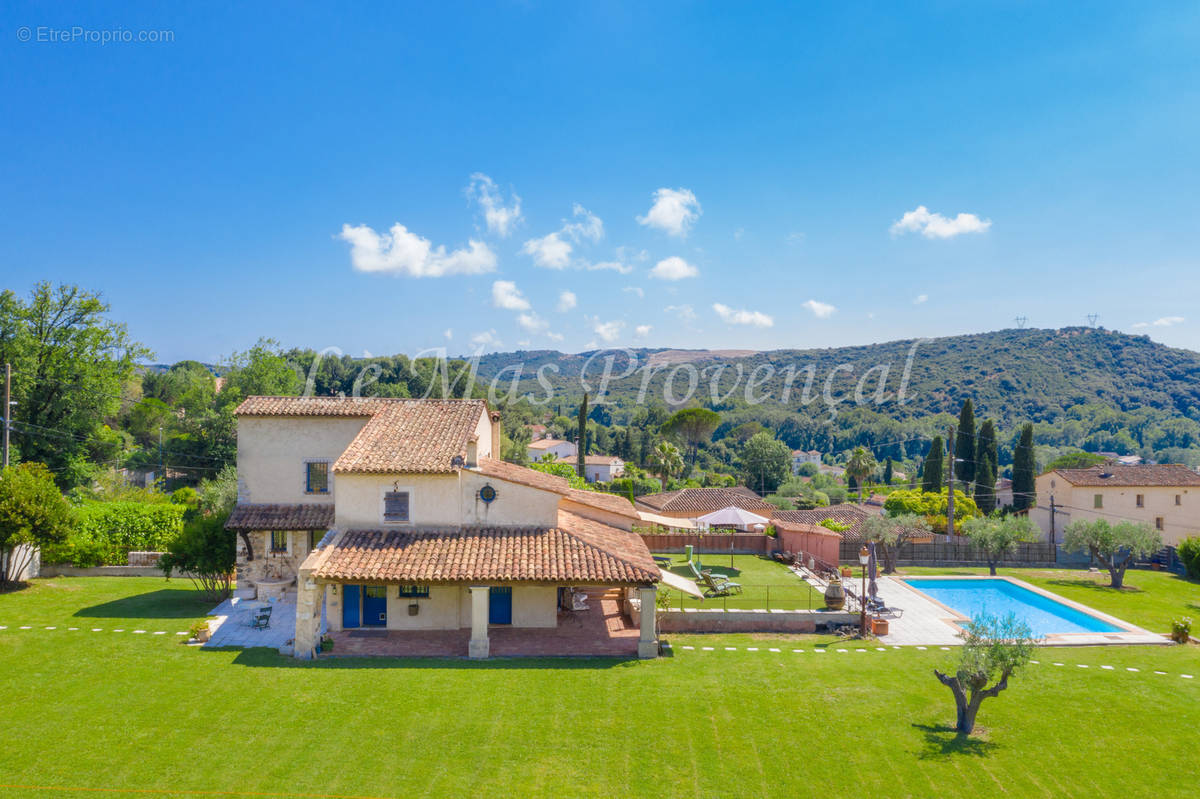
[(70, 363)]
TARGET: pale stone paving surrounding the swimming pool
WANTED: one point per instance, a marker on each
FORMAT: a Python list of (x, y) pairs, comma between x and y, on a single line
[(928, 623)]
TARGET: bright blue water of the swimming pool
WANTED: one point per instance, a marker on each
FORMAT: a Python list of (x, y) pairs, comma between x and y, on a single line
[(973, 598)]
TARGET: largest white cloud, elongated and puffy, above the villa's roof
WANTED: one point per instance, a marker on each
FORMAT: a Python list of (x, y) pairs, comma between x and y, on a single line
[(403, 253)]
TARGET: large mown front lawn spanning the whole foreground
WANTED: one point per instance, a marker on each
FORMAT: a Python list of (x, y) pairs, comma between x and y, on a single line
[(148, 714)]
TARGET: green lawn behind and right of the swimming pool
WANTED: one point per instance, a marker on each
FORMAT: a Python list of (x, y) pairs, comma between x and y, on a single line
[(1149, 599)]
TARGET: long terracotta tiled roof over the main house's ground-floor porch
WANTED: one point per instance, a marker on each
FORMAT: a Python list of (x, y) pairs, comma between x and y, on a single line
[(577, 551)]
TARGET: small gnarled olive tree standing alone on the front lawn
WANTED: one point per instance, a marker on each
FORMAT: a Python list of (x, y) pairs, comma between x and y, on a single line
[(993, 650)]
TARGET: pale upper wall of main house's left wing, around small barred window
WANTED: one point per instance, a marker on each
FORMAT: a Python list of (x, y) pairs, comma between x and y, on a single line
[(272, 454)]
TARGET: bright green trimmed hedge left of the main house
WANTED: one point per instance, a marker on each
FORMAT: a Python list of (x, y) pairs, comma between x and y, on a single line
[(104, 534)]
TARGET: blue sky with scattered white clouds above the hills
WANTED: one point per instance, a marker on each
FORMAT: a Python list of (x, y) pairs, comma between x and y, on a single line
[(725, 176)]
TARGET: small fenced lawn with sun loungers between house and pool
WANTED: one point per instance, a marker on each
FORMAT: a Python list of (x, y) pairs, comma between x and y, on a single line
[(766, 584)]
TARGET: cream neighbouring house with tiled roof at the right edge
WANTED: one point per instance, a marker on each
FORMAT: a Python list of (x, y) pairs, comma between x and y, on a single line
[(1167, 497)]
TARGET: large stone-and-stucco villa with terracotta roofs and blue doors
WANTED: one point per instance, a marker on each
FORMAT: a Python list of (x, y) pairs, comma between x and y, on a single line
[(394, 515)]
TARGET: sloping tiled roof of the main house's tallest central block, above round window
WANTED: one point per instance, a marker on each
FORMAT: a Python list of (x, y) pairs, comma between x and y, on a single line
[(412, 436)]
